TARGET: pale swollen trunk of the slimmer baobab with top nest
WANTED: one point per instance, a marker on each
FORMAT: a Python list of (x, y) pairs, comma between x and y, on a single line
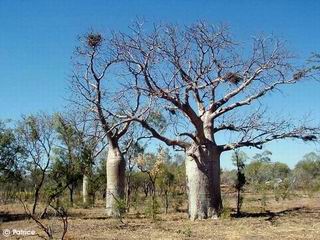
[(115, 181)]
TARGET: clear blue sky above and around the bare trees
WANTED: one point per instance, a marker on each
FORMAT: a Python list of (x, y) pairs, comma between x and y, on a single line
[(38, 38)]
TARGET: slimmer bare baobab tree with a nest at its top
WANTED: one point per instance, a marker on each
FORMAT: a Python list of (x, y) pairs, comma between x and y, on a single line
[(99, 89)]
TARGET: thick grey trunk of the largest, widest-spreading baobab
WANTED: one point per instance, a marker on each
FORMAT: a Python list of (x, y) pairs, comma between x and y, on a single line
[(203, 183)]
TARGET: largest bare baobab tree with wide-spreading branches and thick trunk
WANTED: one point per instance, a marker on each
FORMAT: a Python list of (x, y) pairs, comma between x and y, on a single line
[(211, 91)]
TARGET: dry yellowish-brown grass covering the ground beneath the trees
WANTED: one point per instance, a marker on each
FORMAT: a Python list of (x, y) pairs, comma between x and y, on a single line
[(298, 218)]
